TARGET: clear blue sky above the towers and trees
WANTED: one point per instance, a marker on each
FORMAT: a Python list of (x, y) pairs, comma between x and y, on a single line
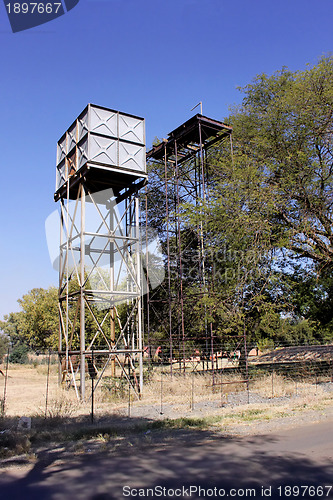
[(153, 58)]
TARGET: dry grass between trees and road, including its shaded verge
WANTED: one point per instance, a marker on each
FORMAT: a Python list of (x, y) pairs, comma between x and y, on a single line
[(67, 419)]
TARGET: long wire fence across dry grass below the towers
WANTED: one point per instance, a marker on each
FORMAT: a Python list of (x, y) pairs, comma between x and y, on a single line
[(191, 384)]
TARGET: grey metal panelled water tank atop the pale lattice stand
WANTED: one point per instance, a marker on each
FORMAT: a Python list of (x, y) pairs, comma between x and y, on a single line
[(104, 137)]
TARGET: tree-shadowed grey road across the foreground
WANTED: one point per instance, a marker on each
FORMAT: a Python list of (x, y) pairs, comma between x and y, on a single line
[(183, 464)]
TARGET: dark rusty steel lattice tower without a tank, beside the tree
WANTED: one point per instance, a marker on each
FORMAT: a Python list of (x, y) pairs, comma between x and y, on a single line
[(183, 164)]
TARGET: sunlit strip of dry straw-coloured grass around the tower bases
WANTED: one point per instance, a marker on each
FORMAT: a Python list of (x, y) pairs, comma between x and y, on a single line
[(34, 391)]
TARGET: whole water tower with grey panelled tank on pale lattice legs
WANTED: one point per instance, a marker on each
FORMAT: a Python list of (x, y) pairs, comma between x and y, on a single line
[(101, 166)]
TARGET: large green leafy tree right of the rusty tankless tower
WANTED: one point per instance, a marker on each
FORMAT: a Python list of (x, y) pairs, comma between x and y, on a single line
[(269, 211)]
